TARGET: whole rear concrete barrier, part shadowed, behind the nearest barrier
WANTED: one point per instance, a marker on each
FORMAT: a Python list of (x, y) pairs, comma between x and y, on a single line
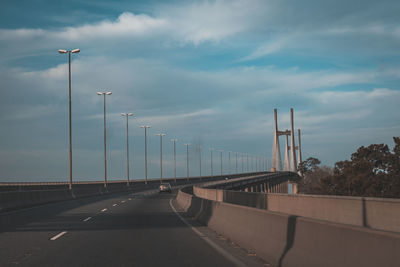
[(374, 213)]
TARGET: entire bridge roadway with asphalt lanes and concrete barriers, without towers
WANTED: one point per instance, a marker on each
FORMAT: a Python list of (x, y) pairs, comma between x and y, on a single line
[(230, 220)]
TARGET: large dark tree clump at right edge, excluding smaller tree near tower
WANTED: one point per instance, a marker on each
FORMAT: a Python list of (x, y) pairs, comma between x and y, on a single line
[(372, 171)]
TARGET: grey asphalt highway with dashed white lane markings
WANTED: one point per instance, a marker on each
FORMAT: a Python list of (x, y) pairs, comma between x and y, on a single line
[(140, 229)]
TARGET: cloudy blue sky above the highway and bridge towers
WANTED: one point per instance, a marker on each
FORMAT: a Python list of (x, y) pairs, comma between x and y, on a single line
[(208, 73)]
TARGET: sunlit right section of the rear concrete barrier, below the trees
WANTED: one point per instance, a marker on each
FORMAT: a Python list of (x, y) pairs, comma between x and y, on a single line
[(375, 213)]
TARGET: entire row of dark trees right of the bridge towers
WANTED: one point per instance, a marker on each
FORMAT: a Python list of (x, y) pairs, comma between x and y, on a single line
[(372, 171)]
